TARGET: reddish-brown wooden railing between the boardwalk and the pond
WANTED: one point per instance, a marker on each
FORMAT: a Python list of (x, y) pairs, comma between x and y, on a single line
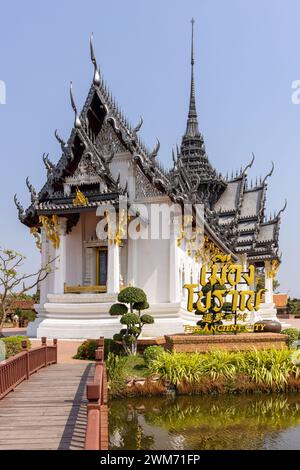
[(97, 410)]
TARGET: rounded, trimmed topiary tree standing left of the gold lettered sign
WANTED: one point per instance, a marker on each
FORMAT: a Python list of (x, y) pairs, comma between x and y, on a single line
[(132, 319)]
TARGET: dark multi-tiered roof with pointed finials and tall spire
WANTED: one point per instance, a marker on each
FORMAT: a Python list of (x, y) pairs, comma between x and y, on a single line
[(234, 212)]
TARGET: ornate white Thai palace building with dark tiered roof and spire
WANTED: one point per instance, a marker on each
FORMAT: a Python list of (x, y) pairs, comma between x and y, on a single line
[(105, 161)]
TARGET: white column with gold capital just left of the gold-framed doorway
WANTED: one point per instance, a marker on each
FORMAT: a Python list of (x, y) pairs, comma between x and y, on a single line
[(60, 261)]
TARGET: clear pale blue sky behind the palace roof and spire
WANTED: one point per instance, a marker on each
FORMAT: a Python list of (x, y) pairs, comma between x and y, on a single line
[(247, 55)]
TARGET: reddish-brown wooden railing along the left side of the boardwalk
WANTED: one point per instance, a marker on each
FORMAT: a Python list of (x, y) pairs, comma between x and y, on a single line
[(21, 366)]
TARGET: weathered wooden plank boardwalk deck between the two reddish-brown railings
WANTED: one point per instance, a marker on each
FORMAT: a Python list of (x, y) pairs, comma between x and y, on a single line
[(48, 411)]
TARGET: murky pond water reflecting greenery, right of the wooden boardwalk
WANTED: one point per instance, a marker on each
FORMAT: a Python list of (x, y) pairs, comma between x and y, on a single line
[(205, 422)]
